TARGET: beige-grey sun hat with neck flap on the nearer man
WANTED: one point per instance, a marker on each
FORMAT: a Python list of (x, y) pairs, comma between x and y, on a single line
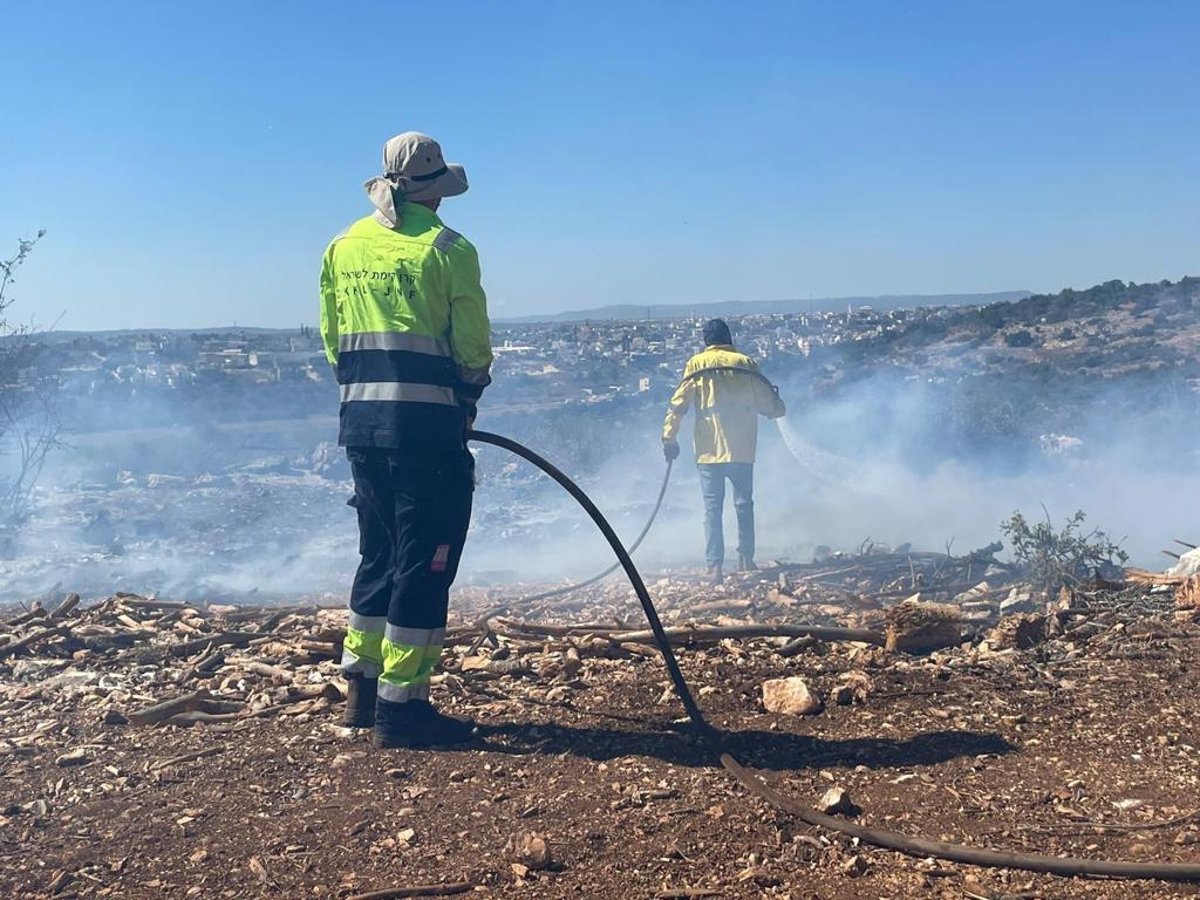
[(413, 171)]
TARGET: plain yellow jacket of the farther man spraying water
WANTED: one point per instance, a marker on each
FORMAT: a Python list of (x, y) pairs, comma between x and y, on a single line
[(728, 406)]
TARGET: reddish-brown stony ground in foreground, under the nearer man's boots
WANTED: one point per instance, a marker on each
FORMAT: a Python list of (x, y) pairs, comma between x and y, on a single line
[(1087, 743)]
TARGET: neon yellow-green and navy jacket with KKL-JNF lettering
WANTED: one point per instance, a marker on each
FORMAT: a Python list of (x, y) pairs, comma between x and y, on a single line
[(404, 319)]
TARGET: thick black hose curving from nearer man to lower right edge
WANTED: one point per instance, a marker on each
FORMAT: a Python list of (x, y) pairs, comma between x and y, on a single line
[(713, 740)]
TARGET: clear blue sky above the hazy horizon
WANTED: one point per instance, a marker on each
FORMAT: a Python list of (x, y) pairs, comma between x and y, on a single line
[(191, 161)]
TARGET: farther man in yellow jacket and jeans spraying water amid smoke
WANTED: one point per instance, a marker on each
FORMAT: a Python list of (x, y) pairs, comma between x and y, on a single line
[(727, 436)]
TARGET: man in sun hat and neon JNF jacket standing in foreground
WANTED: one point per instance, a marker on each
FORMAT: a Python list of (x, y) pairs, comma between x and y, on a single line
[(405, 323)]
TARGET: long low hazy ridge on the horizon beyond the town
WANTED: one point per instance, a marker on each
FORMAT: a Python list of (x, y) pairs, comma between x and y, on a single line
[(766, 308)]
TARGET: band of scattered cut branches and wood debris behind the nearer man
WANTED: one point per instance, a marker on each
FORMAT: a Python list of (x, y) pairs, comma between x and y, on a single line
[(137, 661)]
